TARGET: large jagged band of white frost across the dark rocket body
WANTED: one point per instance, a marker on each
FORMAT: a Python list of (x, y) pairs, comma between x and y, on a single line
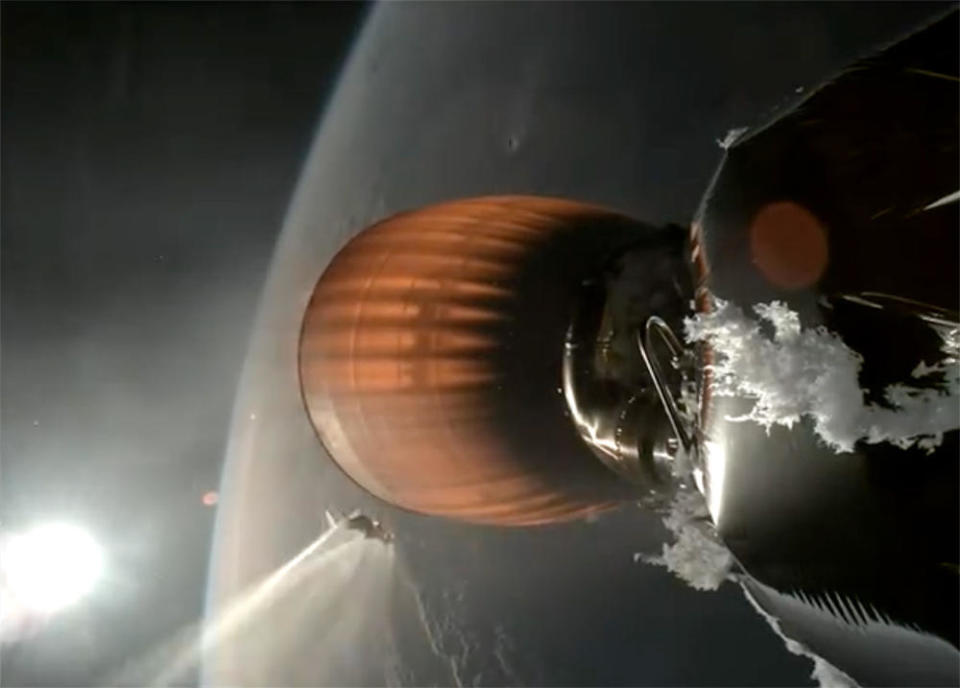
[(811, 373)]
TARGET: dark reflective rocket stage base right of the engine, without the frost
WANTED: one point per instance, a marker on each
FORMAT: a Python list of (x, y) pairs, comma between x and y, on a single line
[(836, 199)]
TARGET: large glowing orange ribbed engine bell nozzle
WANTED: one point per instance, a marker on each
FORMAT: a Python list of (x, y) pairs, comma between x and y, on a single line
[(432, 352)]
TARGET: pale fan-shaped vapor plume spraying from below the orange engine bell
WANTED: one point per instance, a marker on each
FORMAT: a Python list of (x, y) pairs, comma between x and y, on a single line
[(327, 600)]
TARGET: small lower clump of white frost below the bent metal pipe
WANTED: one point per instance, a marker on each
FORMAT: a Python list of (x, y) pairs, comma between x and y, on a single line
[(697, 556)]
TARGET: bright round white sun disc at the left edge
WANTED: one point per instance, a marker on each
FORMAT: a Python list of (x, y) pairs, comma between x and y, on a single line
[(51, 567)]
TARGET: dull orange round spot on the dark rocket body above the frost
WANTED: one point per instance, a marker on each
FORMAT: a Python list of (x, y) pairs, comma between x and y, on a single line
[(788, 244)]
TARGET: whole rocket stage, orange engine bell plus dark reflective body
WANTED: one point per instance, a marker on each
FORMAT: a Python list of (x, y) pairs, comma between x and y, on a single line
[(499, 360)]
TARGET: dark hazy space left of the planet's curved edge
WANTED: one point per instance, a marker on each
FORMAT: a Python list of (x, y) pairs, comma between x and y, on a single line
[(149, 154)]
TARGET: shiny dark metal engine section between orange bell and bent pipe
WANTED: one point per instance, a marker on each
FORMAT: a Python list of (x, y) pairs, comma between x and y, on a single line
[(611, 396)]
